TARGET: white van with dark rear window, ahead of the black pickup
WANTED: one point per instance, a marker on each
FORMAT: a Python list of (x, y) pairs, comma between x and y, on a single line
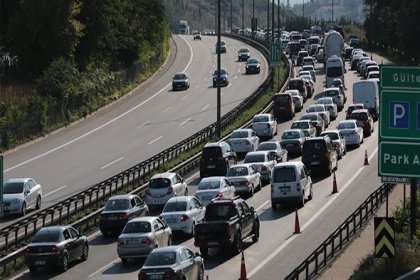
[(290, 182)]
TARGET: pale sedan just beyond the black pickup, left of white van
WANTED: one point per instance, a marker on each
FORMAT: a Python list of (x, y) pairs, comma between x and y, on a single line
[(245, 178)]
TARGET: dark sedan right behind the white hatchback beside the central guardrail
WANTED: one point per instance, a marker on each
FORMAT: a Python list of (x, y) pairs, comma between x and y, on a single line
[(120, 209)]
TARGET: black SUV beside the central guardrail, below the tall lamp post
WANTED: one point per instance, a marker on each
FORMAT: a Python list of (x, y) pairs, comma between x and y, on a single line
[(216, 158)]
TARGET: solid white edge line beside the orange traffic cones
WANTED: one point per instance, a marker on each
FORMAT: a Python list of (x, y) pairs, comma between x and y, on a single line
[(317, 214)]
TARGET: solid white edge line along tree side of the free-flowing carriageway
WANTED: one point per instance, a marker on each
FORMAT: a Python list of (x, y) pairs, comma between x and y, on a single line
[(108, 122)]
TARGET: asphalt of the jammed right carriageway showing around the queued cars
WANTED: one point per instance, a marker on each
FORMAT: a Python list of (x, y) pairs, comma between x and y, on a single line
[(278, 251)]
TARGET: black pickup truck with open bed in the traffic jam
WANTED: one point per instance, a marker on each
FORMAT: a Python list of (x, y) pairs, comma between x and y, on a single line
[(226, 224)]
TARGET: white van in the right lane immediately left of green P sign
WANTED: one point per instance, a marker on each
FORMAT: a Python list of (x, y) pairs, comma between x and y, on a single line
[(367, 92)]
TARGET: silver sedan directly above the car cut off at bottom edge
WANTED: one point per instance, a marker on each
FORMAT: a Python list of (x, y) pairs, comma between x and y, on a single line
[(141, 235)]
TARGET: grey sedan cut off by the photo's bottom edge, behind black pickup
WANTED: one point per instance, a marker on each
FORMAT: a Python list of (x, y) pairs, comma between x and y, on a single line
[(172, 262)]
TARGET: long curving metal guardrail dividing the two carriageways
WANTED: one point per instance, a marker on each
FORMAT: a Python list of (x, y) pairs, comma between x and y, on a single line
[(15, 237)]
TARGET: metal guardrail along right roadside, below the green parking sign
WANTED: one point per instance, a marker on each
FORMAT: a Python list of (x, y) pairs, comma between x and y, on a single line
[(341, 237)]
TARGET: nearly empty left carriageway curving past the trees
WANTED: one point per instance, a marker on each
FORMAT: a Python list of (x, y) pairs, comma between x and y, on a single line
[(145, 122)]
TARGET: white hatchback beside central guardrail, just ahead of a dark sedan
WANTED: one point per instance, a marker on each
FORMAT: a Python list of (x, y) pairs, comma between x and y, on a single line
[(163, 186)]
